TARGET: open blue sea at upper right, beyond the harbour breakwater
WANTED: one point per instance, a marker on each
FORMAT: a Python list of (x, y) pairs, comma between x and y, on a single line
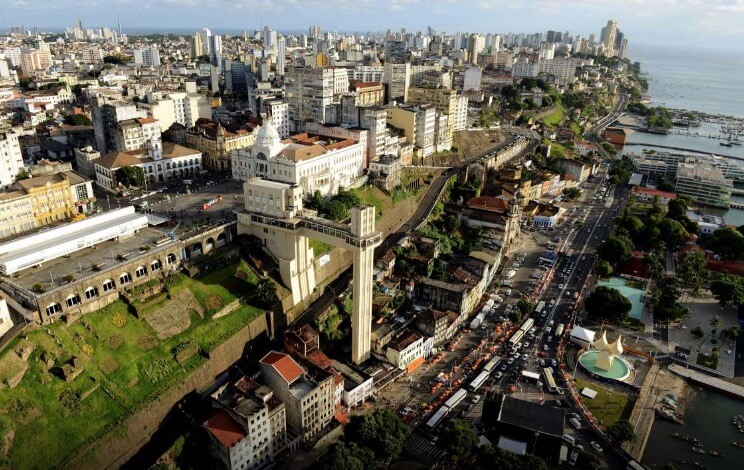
[(706, 80)]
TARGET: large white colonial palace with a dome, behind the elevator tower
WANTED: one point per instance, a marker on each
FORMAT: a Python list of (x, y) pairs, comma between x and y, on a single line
[(311, 161)]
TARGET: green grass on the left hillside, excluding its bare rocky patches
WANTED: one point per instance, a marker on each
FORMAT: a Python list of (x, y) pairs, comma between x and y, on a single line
[(124, 364)]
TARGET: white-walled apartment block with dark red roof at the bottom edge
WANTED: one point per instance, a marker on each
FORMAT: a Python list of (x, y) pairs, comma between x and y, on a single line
[(248, 427)]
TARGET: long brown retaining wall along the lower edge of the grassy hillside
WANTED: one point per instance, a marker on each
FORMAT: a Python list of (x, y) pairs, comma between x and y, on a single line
[(119, 444)]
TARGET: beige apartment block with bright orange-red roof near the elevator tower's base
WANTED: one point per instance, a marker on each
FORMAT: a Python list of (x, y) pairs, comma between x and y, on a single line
[(307, 395)]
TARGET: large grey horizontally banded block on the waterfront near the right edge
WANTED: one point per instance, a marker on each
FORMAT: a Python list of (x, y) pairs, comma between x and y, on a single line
[(705, 184)]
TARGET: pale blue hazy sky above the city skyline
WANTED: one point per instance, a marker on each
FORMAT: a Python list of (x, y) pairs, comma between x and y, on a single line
[(688, 22)]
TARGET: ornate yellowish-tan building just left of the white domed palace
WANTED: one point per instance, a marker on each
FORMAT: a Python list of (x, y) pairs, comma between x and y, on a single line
[(215, 143)]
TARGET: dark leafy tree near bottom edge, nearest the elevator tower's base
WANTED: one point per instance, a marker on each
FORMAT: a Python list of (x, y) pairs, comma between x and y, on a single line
[(382, 431)]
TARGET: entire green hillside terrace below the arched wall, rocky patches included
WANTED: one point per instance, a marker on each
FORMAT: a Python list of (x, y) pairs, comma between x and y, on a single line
[(83, 379)]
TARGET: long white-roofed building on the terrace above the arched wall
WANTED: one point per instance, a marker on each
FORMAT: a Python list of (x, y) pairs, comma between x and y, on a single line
[(46, 246)]
